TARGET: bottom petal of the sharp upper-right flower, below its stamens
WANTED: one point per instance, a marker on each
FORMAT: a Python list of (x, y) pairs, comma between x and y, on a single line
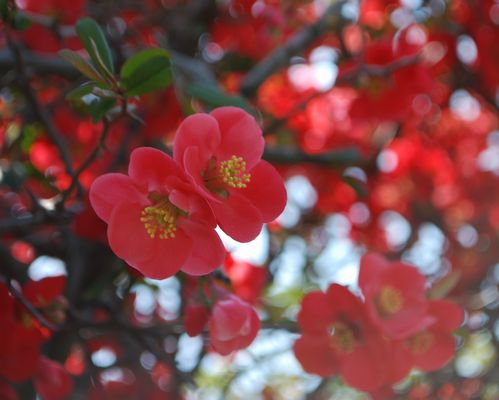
[(238, 218)]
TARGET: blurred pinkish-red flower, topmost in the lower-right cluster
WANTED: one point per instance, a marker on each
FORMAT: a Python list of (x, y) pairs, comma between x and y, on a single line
[(395, 296)]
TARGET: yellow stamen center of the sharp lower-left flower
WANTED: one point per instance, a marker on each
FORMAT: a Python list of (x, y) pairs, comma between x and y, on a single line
[(160, 217)]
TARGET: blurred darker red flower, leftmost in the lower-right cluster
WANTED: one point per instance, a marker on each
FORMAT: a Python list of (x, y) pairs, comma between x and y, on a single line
[(337, 337)]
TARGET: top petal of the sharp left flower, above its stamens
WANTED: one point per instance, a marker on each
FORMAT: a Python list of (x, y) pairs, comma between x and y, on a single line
[(152, 167)]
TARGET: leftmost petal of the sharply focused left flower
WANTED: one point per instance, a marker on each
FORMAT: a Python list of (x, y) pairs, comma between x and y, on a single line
[(109, 190)]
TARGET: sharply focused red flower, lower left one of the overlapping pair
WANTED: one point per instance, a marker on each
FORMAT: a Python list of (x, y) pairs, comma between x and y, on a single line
[(156, 222)]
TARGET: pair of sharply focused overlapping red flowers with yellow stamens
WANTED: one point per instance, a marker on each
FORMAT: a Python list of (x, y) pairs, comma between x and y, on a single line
[(161, 217)]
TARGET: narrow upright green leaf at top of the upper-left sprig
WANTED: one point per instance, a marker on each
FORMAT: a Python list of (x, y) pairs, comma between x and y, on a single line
[(95, 43)]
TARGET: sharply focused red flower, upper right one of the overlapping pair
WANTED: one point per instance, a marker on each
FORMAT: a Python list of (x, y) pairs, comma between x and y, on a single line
[(221, 153)]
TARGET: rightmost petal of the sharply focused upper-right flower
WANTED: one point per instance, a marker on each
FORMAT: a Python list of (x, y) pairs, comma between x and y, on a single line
[(266, 191)]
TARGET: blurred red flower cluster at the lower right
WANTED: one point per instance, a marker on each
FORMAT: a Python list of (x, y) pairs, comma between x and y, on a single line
[(395, 322)]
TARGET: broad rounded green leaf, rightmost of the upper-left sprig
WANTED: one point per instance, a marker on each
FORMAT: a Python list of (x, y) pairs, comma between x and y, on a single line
[(146, 71)]
